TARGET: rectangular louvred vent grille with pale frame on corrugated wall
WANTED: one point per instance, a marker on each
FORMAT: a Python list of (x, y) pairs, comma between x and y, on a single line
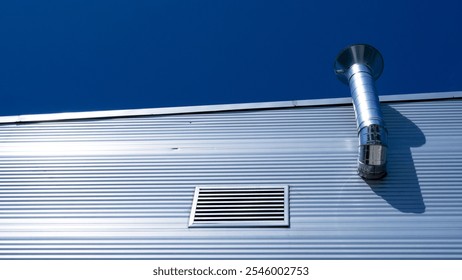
[(241, 206)]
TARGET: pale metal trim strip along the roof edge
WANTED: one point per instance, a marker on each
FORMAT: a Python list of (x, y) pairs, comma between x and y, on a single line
[(220, 108)]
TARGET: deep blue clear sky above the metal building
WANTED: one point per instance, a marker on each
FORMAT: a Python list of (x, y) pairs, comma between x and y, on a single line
[(79, 55)]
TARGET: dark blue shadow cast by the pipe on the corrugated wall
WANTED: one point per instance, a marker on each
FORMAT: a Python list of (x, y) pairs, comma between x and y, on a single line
[(401, 187)]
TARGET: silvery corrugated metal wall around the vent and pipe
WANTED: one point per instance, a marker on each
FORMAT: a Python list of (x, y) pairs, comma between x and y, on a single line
[(122, 188)]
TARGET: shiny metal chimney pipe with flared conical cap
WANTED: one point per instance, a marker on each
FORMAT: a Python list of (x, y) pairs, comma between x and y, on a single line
[(359, 66)]
